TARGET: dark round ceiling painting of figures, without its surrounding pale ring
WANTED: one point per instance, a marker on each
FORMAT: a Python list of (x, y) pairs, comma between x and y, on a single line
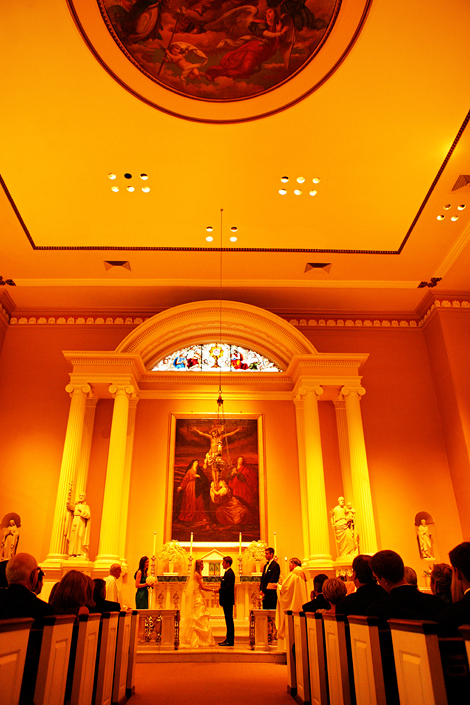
[(220, 50)]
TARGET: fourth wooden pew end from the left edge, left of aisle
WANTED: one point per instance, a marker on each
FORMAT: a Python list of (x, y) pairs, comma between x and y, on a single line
[(106, 657)]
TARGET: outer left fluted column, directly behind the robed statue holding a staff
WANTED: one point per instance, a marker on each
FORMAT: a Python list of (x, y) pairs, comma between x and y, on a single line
[(68, 468)]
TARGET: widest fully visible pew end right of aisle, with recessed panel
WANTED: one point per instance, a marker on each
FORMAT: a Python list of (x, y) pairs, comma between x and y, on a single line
[(418, 662)]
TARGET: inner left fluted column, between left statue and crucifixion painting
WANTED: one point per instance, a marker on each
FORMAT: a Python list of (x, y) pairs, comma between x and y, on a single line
[(111, 515)]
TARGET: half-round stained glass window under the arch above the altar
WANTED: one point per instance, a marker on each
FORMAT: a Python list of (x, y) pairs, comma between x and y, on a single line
[(212, 356)]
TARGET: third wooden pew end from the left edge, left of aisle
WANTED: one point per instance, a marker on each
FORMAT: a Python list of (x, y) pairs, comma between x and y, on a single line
[(82, 669)]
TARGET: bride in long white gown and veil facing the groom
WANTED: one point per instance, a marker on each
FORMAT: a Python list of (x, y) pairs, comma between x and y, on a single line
[(196, 631)]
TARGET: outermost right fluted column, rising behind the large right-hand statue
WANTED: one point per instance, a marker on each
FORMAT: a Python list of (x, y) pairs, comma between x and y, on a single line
[(359, 470)]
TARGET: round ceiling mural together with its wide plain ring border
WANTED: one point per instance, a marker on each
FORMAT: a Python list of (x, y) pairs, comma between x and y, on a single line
[(220, 60)]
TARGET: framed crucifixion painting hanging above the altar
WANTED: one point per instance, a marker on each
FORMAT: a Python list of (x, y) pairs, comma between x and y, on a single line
[(216, 481)]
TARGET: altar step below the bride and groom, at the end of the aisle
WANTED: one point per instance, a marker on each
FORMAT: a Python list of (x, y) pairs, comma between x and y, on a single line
[(240, 653)]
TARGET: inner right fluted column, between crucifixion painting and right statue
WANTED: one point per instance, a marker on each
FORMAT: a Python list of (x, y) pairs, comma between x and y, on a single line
[(319, 542)]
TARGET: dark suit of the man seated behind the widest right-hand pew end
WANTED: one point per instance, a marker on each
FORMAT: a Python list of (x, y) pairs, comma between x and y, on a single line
[(406, 602)]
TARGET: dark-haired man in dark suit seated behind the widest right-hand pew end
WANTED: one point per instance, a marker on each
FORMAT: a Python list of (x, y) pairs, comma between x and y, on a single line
[(403, 601)]
